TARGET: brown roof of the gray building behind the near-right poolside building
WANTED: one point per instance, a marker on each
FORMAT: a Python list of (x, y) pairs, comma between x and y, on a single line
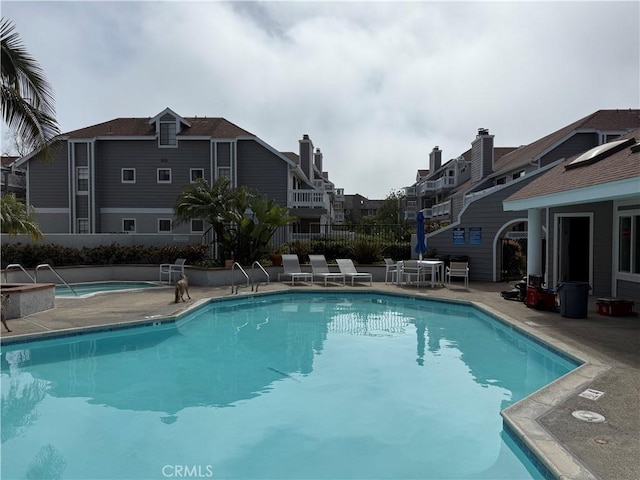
[(602, 120)]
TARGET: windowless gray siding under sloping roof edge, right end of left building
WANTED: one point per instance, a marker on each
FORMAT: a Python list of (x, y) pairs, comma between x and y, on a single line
[(262, 169)]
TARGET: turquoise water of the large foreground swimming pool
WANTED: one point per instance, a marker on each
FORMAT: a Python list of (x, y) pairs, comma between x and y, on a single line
[(299, 386)]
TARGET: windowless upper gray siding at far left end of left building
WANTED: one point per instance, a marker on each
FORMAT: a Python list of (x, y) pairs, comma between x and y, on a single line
[(49, 181)]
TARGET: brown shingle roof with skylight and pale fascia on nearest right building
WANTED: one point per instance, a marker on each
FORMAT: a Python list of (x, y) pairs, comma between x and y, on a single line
[(614, 176)]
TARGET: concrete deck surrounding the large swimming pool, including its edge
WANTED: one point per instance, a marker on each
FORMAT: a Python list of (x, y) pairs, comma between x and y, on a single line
[(575, 449)]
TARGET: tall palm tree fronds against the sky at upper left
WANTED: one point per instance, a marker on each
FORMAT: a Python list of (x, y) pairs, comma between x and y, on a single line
[(27, 98)]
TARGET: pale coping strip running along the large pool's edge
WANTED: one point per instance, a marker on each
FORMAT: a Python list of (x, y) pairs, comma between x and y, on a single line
[(521, 419)]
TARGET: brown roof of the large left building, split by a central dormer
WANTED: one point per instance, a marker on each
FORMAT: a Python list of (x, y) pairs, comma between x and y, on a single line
[(214, 127)]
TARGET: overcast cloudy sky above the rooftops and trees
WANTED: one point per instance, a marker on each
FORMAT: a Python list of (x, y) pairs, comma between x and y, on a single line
[(376, 85)]
